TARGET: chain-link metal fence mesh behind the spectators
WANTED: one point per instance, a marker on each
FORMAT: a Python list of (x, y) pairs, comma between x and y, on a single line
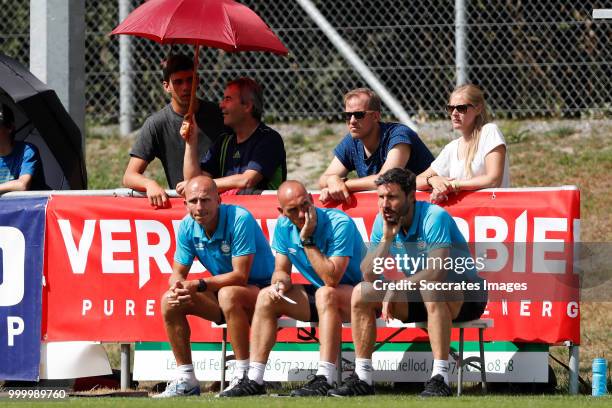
[(533, 58)]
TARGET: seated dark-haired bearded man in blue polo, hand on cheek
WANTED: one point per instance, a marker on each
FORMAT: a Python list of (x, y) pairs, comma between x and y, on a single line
[(419, 229)]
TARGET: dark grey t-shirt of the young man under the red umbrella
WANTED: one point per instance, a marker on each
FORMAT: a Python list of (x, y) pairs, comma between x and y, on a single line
[(160, 138)]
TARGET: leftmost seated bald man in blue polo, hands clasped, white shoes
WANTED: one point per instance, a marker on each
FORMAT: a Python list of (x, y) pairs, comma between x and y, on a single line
[(229, 243)]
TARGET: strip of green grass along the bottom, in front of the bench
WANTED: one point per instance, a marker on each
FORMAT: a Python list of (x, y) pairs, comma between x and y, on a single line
[(386, 401)]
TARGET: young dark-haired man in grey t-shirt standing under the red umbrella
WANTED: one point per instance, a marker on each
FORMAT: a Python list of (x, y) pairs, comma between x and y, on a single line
[(159, 136)]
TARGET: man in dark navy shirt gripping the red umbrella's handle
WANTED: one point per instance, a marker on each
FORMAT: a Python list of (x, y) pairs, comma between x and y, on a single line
[(250, 158)]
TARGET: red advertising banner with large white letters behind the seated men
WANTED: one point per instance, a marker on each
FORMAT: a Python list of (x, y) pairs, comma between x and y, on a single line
[(108, 259)]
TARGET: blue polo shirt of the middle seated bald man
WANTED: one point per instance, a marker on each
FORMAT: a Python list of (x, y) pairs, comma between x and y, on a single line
[(335, 235)]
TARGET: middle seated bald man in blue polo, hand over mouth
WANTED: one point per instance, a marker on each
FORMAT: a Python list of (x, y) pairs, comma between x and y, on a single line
[(326, 248)]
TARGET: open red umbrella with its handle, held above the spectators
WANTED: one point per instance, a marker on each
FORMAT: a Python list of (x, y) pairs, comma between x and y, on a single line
[(223, 24)]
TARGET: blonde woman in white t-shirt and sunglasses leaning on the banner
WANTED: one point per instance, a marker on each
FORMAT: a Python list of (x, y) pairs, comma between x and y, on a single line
[(478, 159)]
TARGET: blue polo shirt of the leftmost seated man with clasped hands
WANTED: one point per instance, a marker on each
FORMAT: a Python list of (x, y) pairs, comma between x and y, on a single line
[(237, 234)]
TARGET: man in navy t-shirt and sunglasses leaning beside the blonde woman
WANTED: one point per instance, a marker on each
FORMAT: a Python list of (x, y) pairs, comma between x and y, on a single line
[(370, 148)]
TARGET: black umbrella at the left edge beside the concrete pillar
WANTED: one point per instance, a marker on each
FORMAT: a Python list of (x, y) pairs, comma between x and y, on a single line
[(40, 118)]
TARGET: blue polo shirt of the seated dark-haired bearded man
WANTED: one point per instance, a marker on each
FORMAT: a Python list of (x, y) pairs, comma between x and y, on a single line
[(431, 228)]
